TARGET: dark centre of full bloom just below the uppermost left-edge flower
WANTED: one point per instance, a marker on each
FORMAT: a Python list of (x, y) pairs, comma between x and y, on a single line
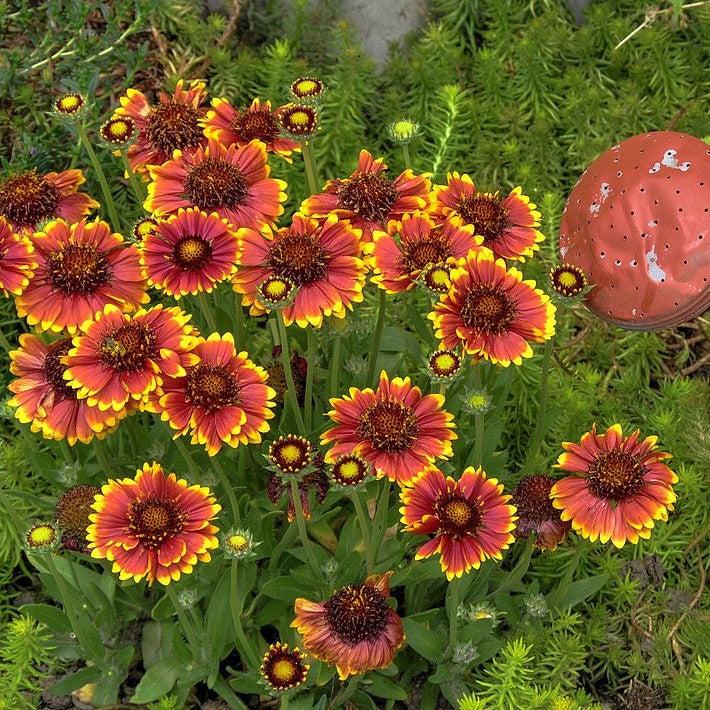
[(78, 269)]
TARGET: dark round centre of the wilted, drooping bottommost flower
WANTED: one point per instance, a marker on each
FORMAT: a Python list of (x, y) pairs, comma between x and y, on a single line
[(357, 613)]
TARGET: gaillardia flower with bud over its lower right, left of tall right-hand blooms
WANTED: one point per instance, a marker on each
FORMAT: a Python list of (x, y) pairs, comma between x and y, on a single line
[(399, 256)]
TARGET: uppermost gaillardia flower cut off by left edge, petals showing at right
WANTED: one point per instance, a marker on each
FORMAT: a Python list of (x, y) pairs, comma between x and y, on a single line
[(27, 198)]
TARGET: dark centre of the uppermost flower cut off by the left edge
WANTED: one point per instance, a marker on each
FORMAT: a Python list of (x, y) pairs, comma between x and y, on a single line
[(27, 198)]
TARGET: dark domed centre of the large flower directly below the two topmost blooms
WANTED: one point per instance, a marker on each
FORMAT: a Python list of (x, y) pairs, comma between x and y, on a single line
[(215, 183)]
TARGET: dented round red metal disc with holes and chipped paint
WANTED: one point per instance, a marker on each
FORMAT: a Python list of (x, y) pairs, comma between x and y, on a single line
[(638, 224)]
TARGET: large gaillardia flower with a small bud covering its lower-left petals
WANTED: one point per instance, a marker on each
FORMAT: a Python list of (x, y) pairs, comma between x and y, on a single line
[(322, 259)]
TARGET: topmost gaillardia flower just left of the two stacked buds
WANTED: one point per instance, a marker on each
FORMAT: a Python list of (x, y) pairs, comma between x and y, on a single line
[(230, 125)]
